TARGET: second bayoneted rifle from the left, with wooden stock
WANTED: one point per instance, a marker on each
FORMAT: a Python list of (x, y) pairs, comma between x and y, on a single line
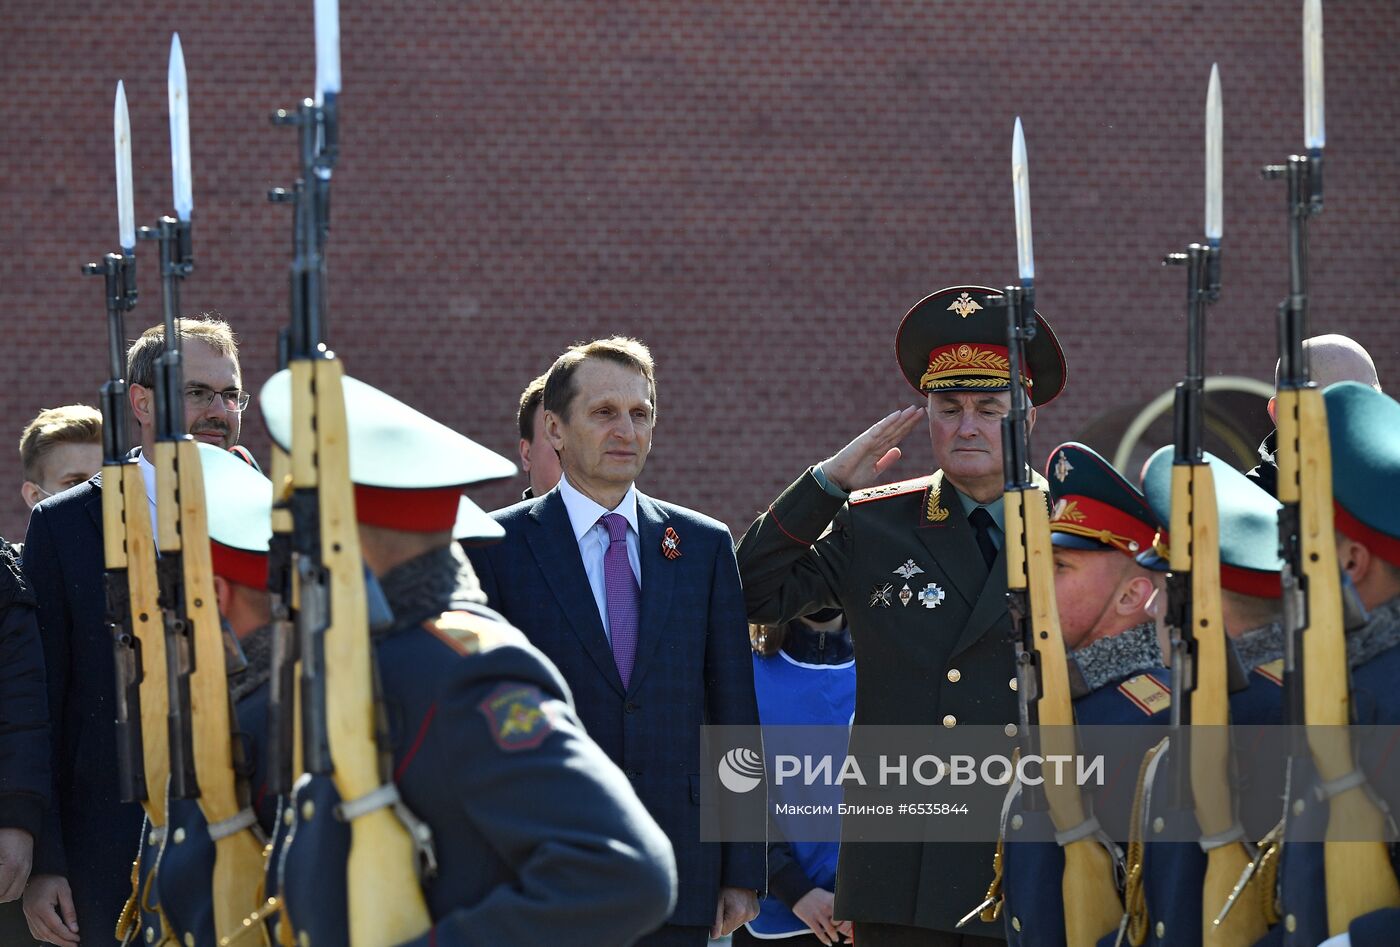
[(201, 739)]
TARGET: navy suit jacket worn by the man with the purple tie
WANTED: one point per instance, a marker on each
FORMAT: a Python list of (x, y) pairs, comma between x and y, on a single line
[(694, 666)]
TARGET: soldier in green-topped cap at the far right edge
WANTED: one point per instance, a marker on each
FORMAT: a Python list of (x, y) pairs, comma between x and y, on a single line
[(1364, 429)]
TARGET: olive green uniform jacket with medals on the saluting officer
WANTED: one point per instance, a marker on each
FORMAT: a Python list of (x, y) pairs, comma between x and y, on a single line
[(948, 665)]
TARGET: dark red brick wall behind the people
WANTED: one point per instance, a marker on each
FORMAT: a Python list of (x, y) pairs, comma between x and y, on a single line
[(758, 190)]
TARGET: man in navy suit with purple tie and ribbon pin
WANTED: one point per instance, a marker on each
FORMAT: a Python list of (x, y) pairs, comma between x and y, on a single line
[(639, 606)]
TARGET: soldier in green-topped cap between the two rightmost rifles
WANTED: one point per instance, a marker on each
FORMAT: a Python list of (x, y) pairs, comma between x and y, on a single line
[(1251, 590)]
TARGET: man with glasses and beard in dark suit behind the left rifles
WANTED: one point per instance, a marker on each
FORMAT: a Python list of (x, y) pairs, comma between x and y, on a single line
[(83, 858)]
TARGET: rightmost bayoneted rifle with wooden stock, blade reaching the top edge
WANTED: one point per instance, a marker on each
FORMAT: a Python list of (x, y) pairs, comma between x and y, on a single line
[(1317, 683)]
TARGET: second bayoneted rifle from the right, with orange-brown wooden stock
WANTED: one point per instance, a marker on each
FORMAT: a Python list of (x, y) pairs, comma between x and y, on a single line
[(1200, 689)]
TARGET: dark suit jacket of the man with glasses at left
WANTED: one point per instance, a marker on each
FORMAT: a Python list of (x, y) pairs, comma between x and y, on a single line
[(90, 836)]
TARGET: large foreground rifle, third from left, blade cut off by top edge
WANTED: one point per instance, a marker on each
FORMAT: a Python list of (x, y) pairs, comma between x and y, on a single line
[(341, 742)]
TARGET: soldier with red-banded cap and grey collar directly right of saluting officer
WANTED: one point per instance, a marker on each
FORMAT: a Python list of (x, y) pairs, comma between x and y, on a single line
[(1107, 600)]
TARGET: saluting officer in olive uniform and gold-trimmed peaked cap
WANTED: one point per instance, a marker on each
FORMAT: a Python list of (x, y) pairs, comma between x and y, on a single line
[(919, 569)]
